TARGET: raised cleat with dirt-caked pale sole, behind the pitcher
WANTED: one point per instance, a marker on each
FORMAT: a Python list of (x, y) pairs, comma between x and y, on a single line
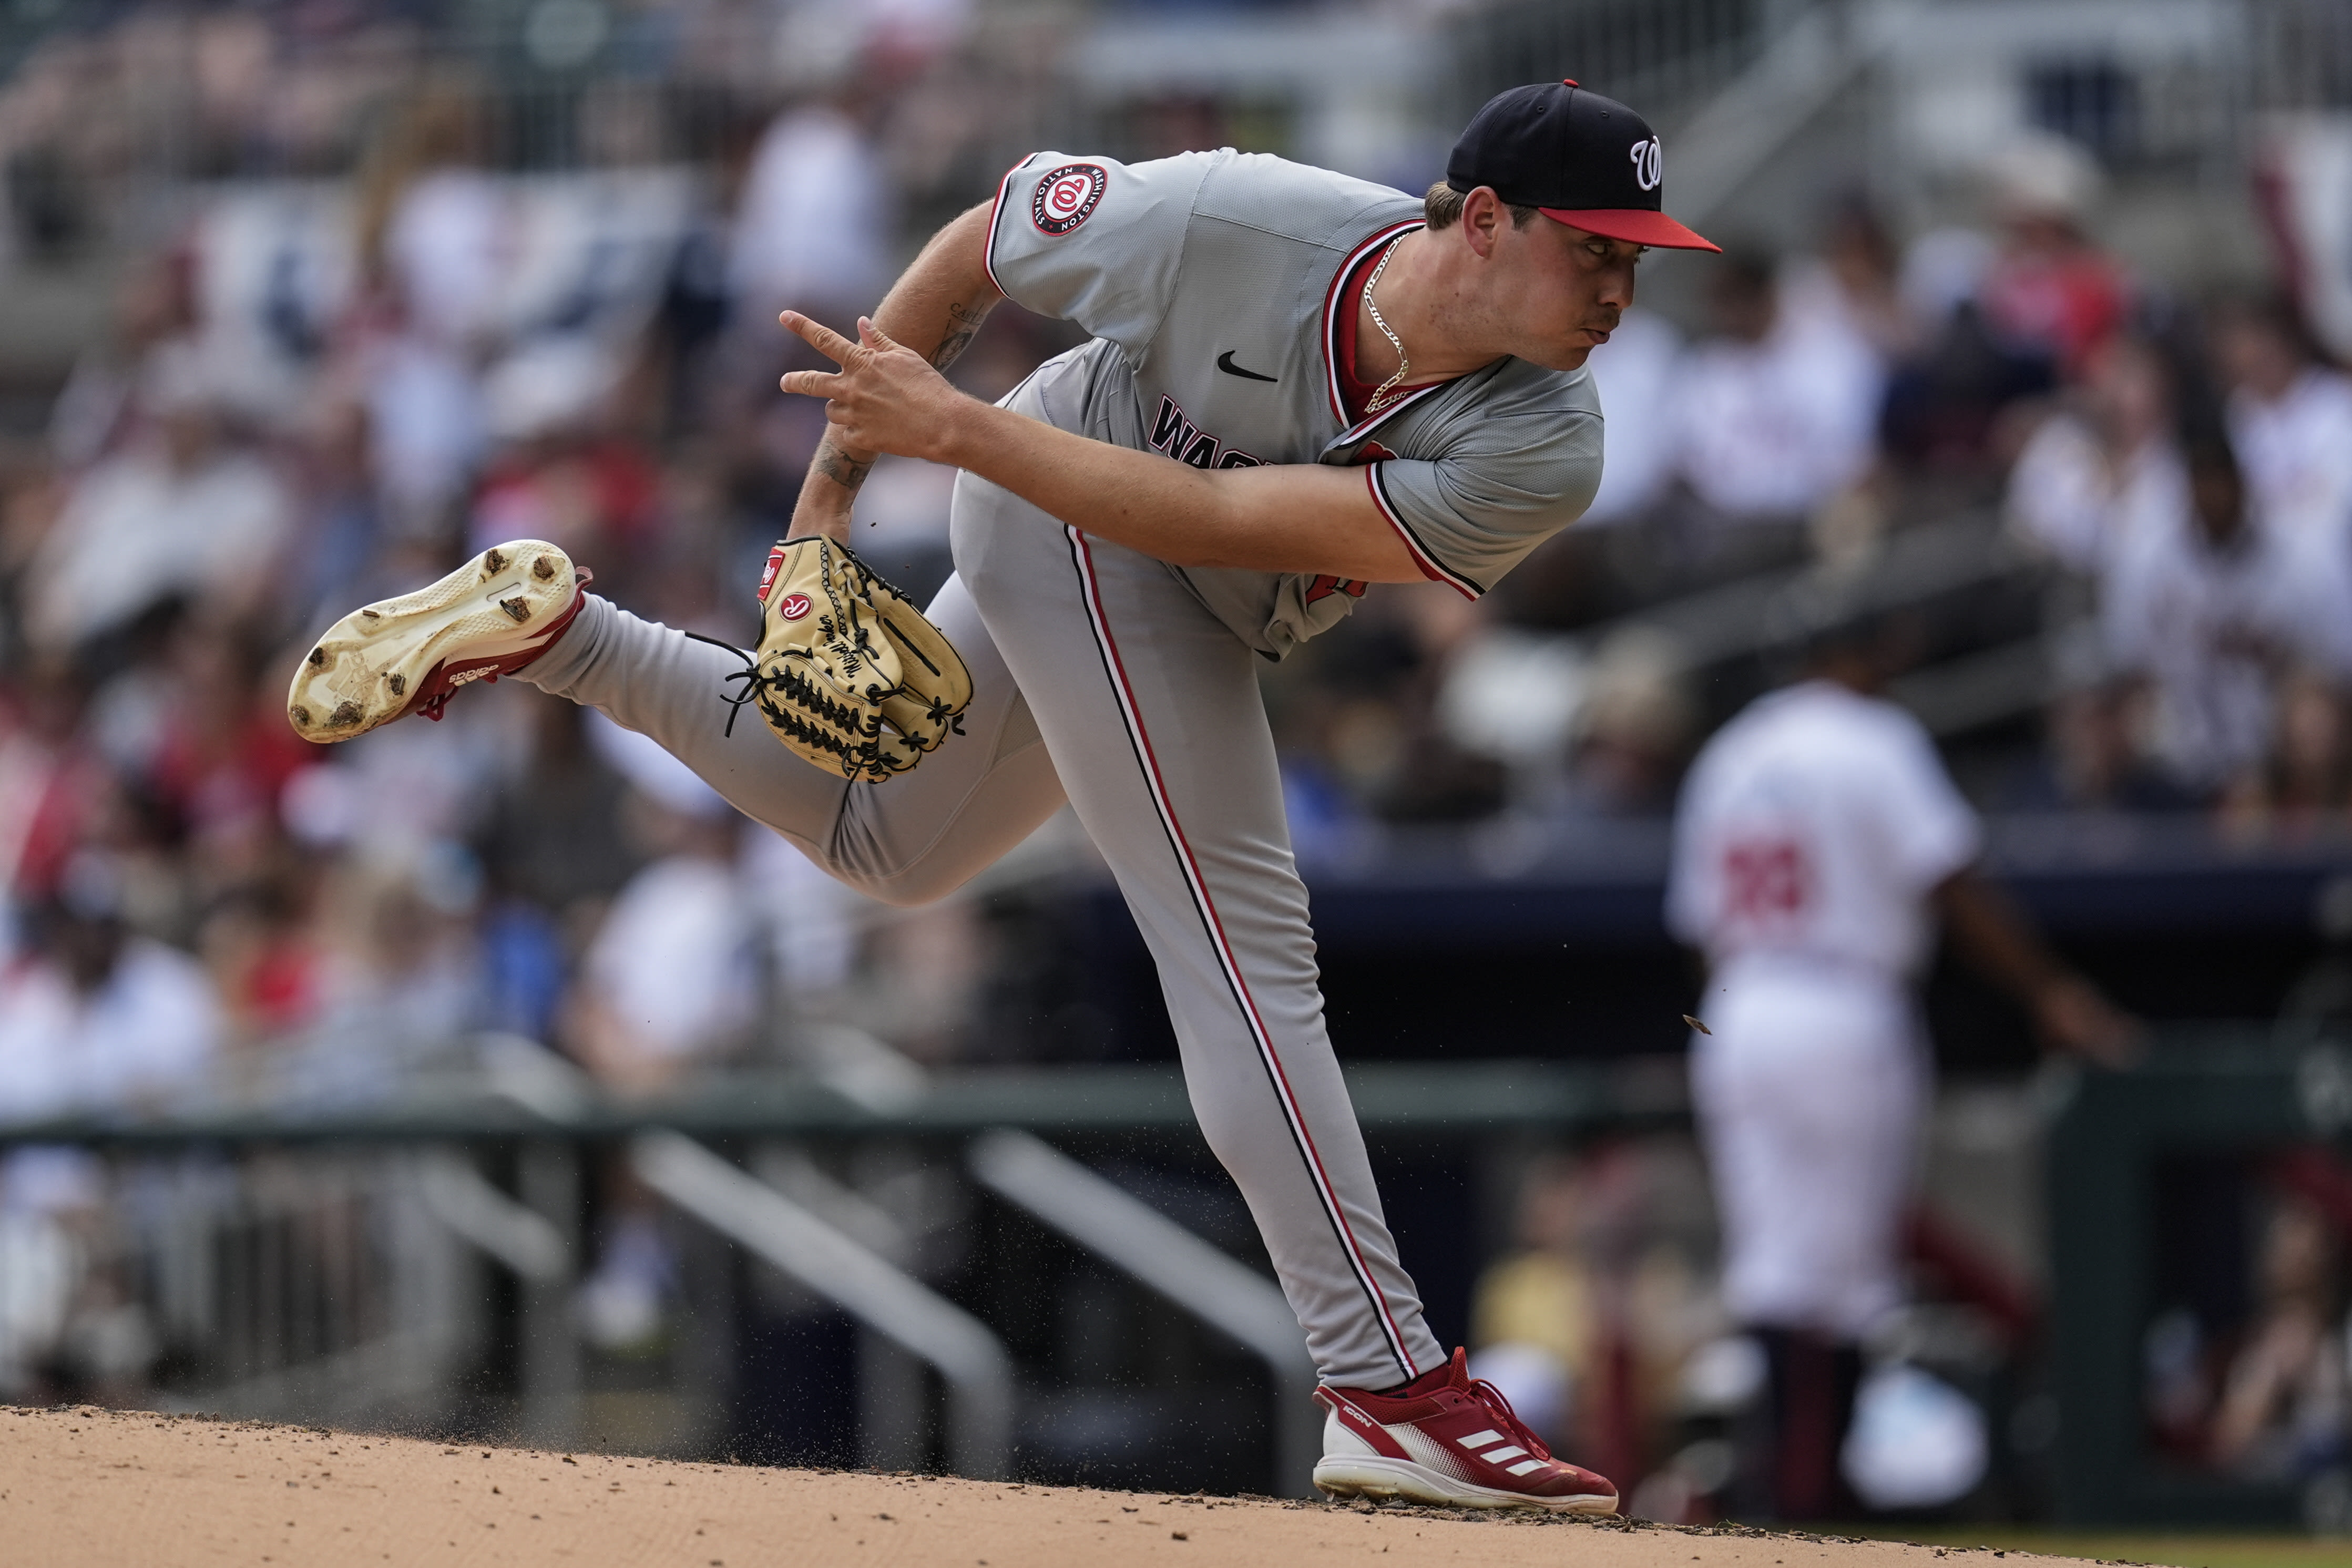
[(408, 655)]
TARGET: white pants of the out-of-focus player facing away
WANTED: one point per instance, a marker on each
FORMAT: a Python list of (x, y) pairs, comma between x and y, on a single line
[(1810, 1097)]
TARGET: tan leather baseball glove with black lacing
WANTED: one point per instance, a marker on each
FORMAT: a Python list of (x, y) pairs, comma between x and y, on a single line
[(850, 674)]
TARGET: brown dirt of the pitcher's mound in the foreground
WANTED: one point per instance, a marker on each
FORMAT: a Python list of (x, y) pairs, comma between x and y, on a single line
[(83, 1487)]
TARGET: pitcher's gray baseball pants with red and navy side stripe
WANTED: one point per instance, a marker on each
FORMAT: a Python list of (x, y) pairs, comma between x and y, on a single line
[(1102, 681)]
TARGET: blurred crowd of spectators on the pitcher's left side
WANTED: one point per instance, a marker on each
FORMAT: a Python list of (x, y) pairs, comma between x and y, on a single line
[(319, 394)]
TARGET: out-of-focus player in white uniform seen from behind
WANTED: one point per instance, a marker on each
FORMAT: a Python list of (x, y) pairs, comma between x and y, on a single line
[(1817, 850)]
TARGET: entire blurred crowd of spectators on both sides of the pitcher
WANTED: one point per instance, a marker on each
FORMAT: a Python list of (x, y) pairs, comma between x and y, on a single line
[(326, 391)]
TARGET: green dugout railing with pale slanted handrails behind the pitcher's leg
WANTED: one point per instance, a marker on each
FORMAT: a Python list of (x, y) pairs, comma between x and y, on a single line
[(375, 1320)]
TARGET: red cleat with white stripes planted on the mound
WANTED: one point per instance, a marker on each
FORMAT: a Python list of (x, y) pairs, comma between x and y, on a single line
[(1448, 1440)]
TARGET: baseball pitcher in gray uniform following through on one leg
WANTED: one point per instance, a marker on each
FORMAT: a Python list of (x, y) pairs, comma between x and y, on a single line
[(1299, 384)]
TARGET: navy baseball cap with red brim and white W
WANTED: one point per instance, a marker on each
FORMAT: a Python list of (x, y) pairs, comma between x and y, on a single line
[(1579, 159)]
